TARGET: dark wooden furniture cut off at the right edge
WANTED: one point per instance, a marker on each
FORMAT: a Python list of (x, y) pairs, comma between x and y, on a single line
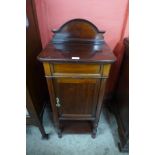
[(121, 100)]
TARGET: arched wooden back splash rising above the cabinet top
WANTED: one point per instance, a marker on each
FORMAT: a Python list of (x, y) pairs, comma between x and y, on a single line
[(78, 31)]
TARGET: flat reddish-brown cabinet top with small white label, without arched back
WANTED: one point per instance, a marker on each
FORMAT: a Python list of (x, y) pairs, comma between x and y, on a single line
[(87, 53)]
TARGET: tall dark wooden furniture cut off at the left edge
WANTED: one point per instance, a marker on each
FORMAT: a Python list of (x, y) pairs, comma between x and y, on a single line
[(37, 94)]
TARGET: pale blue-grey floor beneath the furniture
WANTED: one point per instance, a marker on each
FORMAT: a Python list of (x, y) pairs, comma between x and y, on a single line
[(105, 142)]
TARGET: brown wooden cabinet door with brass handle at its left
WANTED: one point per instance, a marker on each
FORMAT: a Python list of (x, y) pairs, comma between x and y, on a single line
[(76, 97)]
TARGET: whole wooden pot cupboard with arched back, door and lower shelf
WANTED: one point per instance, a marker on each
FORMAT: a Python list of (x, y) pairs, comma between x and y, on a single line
[(77, 63)]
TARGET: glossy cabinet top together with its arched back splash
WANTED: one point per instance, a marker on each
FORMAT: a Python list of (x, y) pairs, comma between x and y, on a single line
[(77, 41)]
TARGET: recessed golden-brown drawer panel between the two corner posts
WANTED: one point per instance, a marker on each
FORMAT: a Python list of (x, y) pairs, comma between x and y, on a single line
[(76, 68)]
